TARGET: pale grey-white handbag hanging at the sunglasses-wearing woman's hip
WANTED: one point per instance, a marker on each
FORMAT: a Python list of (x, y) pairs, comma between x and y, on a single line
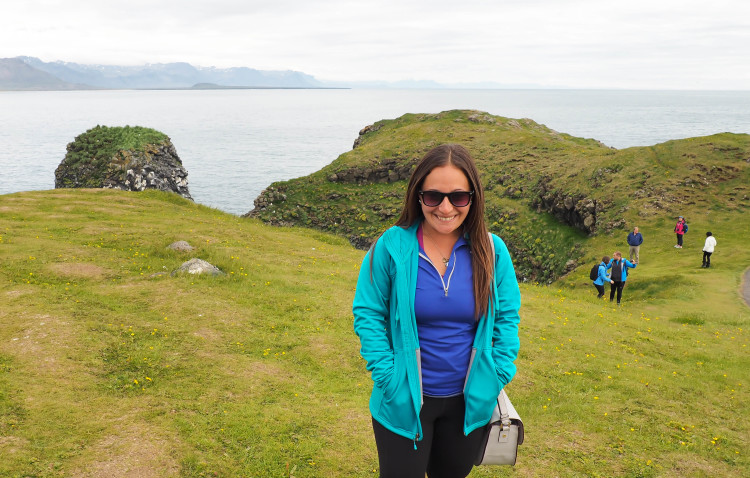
[(503, 434)]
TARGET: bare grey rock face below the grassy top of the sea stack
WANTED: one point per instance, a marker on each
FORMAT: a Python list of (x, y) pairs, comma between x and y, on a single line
[(156, 167)]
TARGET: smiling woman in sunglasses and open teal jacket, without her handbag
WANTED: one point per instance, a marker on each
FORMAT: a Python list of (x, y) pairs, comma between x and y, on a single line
[(436, 310)]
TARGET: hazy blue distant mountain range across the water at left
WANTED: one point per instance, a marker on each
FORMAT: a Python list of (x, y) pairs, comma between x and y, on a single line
[(29, 73)]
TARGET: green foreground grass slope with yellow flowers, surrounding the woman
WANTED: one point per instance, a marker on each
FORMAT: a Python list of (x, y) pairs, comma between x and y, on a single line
[(110, 366)]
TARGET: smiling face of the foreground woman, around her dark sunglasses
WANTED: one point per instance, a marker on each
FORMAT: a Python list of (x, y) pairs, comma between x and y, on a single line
[(445, 218)]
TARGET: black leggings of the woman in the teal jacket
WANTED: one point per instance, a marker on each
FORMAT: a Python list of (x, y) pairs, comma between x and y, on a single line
[(443, 452)]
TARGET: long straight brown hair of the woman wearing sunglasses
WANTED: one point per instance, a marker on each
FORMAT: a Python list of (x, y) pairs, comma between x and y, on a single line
[(482, 260)]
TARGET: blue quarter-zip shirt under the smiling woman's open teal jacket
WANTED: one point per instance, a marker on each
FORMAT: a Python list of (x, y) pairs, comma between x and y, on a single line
[(446, 324)]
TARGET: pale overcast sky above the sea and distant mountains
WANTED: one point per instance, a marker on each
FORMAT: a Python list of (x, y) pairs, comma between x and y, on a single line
[(656, 44)]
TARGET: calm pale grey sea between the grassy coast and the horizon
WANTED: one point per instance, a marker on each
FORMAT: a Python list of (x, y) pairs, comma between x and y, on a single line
[(234, 143)]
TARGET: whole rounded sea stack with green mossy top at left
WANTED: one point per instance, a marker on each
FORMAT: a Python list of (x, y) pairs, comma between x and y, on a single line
[(129, 158)]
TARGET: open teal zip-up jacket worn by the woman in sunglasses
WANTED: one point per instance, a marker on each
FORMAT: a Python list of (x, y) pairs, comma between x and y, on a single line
[(385, 322)]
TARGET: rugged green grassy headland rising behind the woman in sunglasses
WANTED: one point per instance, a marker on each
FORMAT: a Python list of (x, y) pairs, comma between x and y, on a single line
[(547, 191)]
